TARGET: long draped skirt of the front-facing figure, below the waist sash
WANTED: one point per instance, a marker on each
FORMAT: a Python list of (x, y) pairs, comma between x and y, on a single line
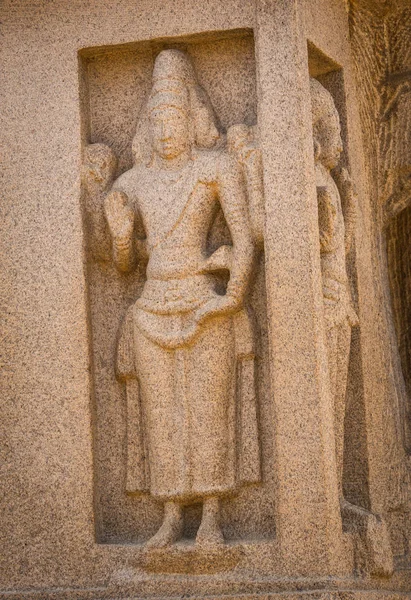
[(192, 422)]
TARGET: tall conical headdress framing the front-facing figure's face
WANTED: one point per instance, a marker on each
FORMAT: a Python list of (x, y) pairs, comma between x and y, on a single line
[(175, 85)]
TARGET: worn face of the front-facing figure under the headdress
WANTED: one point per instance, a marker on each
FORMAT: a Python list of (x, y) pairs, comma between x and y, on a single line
[(169, 132)]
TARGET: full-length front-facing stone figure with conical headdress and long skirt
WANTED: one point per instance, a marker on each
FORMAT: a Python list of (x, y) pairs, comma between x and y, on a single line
[(185, 352)]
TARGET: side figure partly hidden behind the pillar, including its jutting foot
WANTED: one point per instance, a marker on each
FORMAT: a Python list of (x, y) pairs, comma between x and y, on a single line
[(336, 215)]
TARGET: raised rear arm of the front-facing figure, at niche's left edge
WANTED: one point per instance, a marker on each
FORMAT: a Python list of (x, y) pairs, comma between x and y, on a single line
[(97, 175)]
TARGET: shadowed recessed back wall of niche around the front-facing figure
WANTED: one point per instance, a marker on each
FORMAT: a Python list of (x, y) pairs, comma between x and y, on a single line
[(115, 82)]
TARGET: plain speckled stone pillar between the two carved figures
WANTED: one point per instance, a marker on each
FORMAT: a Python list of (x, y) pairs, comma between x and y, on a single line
[(308, 515)]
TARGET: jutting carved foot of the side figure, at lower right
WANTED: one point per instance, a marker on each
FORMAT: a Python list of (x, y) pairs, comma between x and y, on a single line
[(375, 547)]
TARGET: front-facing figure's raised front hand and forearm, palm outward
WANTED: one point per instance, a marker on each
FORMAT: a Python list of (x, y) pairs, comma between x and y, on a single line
[(120, 220)]
